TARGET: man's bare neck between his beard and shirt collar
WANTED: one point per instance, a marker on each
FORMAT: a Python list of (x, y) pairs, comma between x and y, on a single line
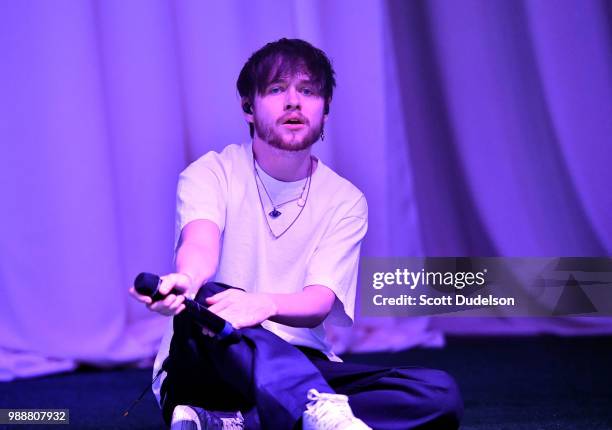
[(288, 166)]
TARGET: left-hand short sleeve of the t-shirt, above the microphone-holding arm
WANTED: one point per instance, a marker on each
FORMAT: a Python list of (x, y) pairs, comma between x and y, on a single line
[(202, 193)]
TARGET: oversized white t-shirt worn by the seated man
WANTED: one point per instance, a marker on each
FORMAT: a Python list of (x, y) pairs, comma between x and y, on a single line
[(320, 248)]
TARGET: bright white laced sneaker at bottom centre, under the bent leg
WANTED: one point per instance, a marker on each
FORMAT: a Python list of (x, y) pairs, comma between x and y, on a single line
[(330, 412)]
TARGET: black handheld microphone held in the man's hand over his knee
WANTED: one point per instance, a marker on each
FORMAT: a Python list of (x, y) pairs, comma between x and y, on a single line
[(147, 284)]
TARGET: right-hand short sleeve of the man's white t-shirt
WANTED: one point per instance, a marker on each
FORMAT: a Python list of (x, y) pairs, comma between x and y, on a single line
[(335, 261)]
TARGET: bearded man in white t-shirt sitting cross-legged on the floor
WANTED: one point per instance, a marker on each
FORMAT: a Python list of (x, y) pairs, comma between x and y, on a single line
[(280, 234)]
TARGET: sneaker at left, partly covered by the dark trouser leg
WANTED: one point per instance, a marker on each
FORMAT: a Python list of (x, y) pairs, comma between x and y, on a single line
[(186, 417)]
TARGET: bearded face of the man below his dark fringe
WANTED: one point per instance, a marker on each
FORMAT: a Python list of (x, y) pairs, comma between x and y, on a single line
[(289, 114)]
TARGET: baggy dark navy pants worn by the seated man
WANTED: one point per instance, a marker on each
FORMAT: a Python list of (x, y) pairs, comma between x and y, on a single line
[(267, 379)]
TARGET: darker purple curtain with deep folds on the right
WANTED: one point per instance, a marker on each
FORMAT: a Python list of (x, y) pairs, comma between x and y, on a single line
[(508, 114)]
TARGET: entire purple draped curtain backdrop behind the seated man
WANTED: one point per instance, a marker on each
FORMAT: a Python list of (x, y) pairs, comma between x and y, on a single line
[(473, 127)]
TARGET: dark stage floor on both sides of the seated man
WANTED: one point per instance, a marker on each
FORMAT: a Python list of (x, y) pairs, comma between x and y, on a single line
[(507, 383)]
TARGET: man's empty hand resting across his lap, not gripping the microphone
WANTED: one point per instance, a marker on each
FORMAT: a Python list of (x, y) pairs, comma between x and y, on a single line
[(242, 309)]
